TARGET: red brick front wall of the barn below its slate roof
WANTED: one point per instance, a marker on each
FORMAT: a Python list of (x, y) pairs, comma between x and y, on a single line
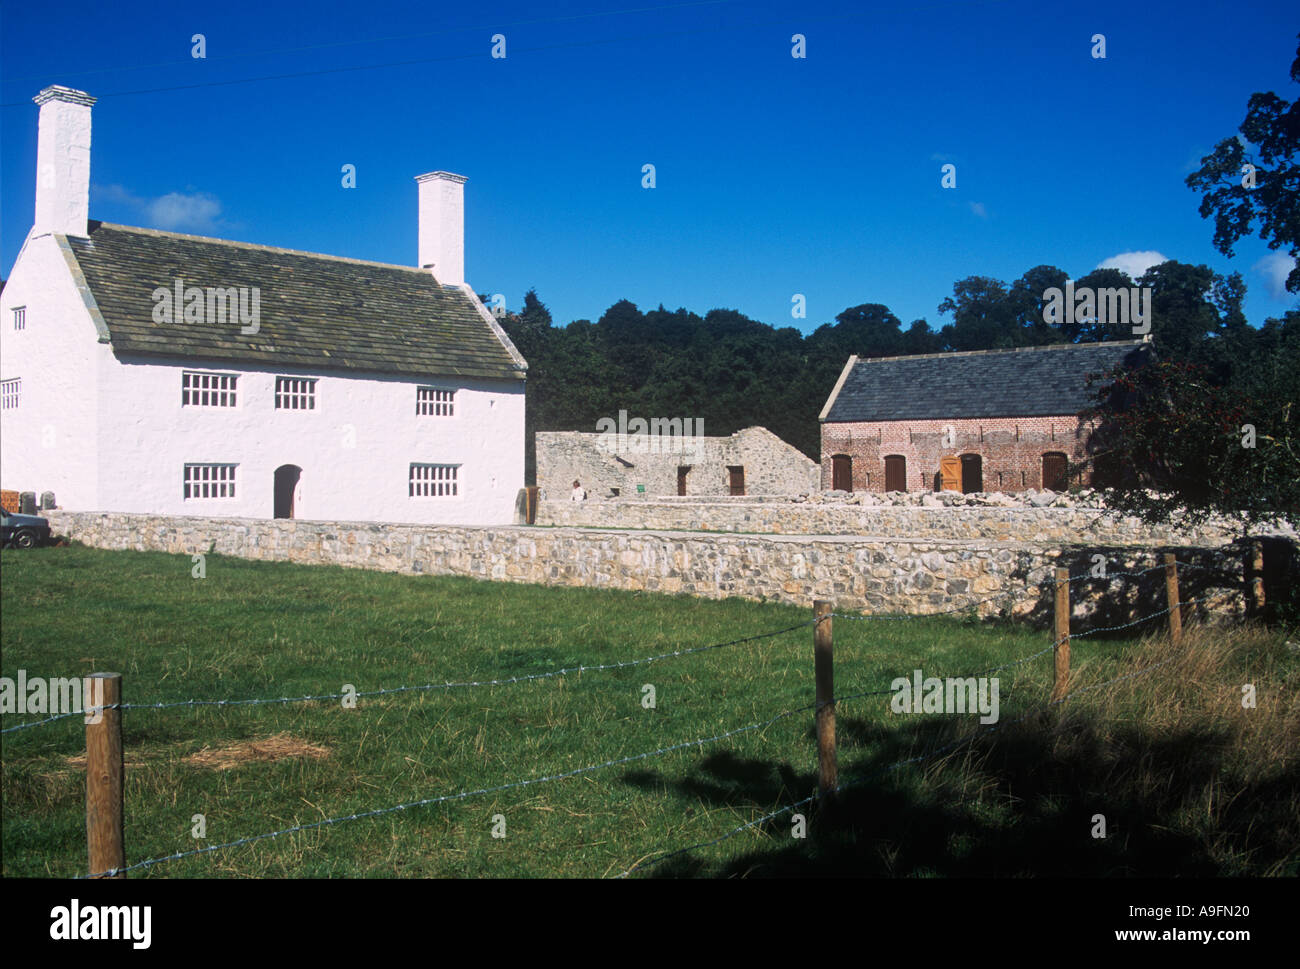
[(1011, 449)]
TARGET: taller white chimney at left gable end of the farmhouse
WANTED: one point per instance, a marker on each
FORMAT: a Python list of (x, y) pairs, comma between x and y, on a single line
[(63, 162)]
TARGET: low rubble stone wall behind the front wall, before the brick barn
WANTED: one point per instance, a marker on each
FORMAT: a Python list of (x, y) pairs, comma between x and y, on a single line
[(1004, 525)]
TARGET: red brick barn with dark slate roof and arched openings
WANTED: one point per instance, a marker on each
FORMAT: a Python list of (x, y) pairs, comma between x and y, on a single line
[(987, 421)]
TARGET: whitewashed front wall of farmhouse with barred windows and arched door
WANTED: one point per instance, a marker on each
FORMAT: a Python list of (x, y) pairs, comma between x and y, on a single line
[(356, 448)]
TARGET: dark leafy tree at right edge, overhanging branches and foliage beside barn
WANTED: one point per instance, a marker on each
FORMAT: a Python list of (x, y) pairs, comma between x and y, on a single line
[(1211, 429)]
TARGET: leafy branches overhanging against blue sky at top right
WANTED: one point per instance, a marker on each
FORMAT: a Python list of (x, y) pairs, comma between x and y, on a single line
[(1237, 197)]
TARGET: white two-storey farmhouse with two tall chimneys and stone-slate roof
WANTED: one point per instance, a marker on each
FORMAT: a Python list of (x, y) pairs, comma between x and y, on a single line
[(155, 373)]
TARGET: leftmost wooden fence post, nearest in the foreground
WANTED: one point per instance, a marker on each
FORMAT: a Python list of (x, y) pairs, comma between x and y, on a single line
[(105, 772)]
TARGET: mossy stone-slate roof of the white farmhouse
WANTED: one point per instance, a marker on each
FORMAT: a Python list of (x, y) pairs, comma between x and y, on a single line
[(317, 312)]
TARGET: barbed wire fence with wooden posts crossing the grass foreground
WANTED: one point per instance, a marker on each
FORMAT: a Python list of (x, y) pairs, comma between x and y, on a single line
[(1061, 639)]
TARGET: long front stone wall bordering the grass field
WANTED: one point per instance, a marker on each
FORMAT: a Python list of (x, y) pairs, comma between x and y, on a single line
[(857, 574)]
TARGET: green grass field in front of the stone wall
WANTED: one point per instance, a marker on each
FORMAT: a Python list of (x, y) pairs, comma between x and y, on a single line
[(1189, 781)]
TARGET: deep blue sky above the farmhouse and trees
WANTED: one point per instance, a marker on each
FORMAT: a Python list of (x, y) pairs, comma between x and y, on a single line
[(775, 176)]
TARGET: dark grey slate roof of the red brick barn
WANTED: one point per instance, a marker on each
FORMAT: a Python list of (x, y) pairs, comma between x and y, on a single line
[(1021, 383)]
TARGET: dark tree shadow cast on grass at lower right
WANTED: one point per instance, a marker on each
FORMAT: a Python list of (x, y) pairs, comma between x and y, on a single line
[(1020, 802)]
